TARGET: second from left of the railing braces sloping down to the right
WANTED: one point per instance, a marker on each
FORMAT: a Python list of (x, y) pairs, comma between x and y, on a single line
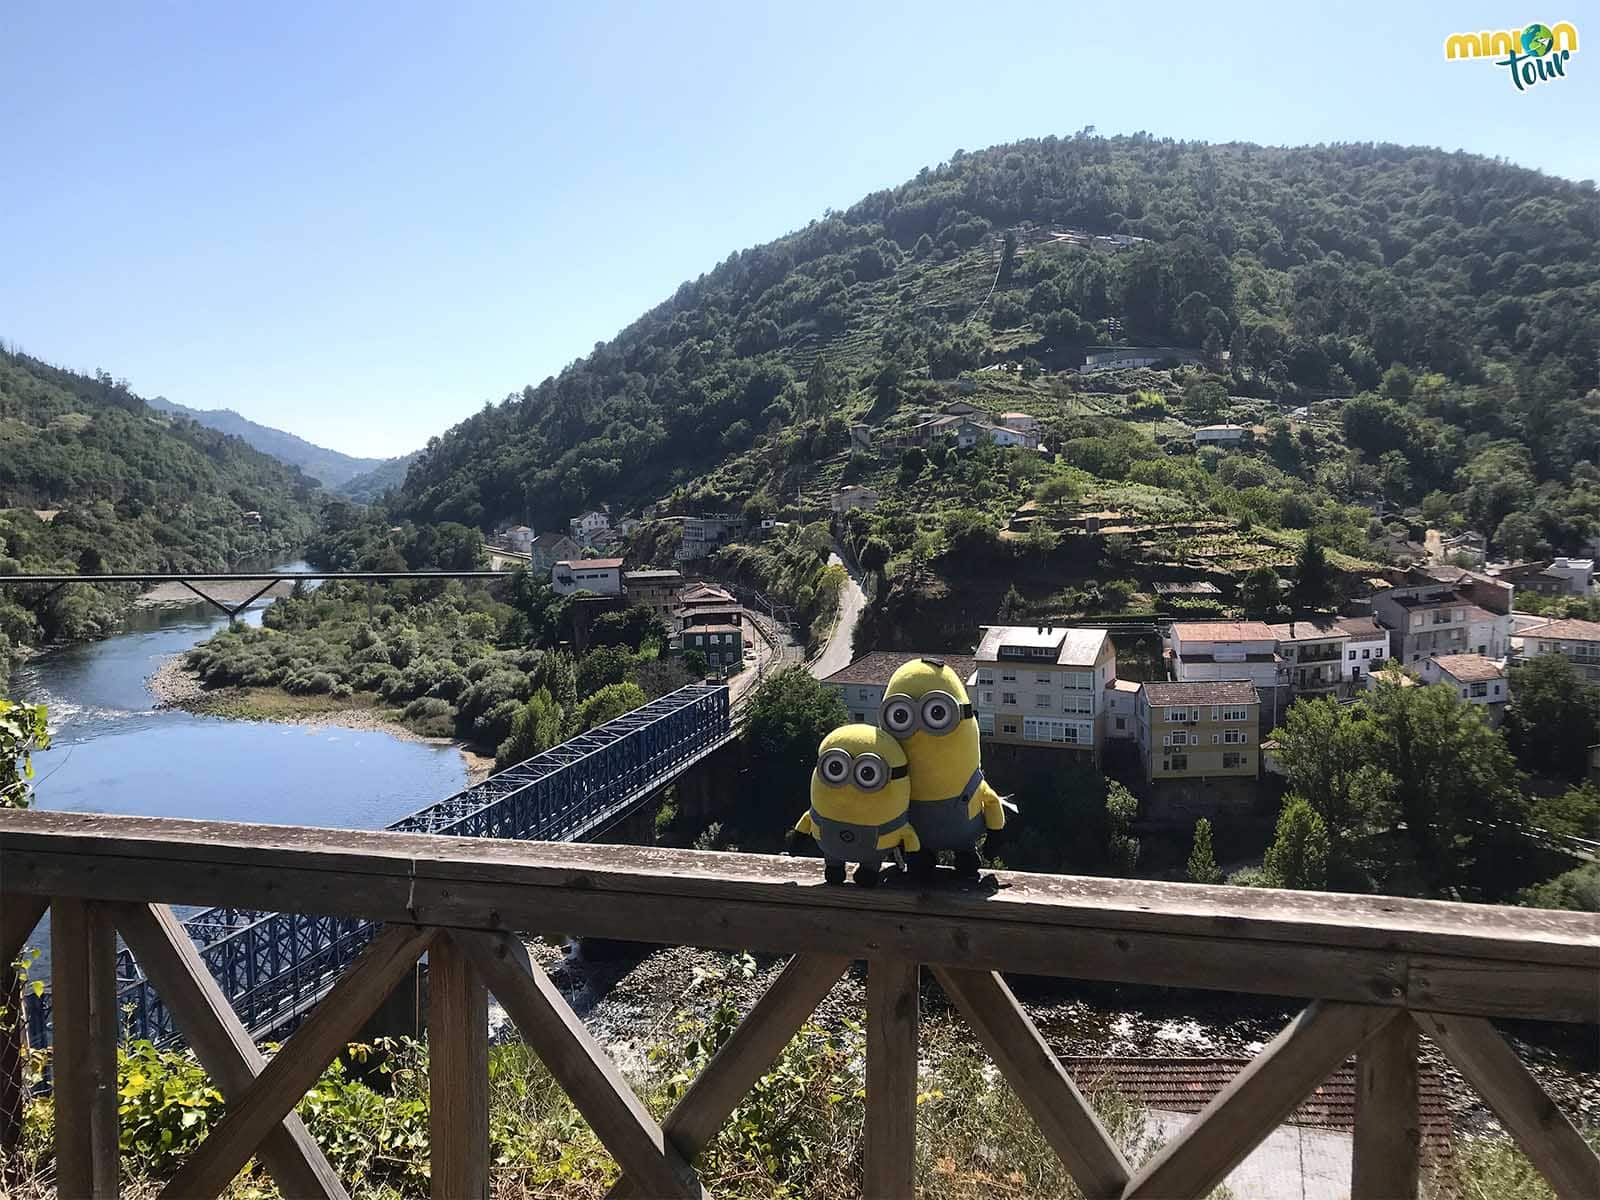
[(580, 1065)]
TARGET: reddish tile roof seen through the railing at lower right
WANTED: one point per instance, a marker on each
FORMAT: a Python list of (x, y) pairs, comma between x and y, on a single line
[(1190, 1084)]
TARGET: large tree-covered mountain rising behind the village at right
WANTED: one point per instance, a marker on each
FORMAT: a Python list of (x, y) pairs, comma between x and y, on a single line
[(1297, 273)]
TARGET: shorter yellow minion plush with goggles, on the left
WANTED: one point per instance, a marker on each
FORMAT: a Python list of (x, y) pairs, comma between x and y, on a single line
[(860, 802)]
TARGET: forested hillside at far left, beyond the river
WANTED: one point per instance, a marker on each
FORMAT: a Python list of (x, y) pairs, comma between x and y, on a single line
[(92, 479)]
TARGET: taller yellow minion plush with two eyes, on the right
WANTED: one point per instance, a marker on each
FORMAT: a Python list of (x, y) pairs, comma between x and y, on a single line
[(926, 708)]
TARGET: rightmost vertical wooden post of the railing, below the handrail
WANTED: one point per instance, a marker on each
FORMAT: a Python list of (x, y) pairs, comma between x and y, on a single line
[(1388, 1159)]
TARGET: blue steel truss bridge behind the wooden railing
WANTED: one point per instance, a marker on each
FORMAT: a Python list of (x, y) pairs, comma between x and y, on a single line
[(276, 966)]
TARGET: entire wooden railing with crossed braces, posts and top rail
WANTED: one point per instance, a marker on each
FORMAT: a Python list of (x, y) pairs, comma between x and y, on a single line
[(1377, 972)]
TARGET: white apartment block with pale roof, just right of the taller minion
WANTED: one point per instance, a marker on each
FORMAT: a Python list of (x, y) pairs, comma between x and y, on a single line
[(1044, 686)]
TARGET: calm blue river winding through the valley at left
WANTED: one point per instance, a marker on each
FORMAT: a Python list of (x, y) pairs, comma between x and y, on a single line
[(113, 751)]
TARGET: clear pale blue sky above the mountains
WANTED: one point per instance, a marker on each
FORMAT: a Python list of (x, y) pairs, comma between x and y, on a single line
[(362, 222)]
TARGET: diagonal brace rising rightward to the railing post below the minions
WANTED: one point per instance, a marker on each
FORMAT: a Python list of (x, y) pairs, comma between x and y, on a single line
[(748, 1054)]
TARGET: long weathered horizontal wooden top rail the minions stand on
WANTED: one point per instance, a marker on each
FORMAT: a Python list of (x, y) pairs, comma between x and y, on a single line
[(1471, 959)]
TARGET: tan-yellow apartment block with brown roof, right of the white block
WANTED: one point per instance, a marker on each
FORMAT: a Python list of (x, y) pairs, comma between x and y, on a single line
[(1199, 730)]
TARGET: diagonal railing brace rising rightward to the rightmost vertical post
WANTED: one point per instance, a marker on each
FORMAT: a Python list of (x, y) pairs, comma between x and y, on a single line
[(1257, 1102)]
